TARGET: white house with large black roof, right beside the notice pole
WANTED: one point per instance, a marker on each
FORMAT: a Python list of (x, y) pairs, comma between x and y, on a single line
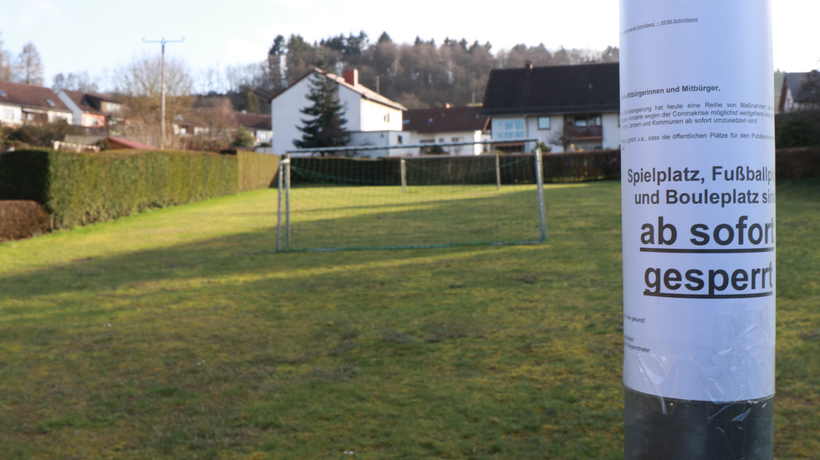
[(569, 108)]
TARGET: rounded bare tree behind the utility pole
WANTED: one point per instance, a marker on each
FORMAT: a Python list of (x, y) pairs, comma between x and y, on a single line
[(140, 86)]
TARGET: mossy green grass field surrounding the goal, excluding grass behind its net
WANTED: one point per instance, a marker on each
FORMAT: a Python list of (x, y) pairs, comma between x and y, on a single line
[(181, 333)]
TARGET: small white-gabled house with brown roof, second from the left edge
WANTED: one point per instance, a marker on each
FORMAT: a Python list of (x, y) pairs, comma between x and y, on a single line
[(93, 110)]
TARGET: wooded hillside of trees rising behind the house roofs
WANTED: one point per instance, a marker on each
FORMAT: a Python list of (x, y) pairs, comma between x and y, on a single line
[(418, 75)]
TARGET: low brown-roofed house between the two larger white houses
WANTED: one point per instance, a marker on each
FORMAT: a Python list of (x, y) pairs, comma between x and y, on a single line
[(447, 124)]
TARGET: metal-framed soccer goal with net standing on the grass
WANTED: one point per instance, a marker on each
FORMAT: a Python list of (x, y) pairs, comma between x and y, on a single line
[(342, 203)]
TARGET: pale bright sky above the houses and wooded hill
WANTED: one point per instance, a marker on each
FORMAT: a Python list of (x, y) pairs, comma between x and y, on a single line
[(97, 36)]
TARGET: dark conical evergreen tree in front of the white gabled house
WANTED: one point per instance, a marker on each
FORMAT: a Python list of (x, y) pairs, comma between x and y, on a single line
[(326, 125)]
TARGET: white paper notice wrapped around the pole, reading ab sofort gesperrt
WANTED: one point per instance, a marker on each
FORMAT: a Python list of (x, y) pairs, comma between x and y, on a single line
[(698, 197)]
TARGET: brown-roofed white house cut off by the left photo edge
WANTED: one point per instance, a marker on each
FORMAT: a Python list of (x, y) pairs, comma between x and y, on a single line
[(21, 104)]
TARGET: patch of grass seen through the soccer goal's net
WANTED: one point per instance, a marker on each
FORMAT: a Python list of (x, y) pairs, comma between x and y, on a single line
[(373, 217)]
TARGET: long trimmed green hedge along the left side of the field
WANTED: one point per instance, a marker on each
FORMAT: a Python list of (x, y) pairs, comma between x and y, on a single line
[(81, 188)]
